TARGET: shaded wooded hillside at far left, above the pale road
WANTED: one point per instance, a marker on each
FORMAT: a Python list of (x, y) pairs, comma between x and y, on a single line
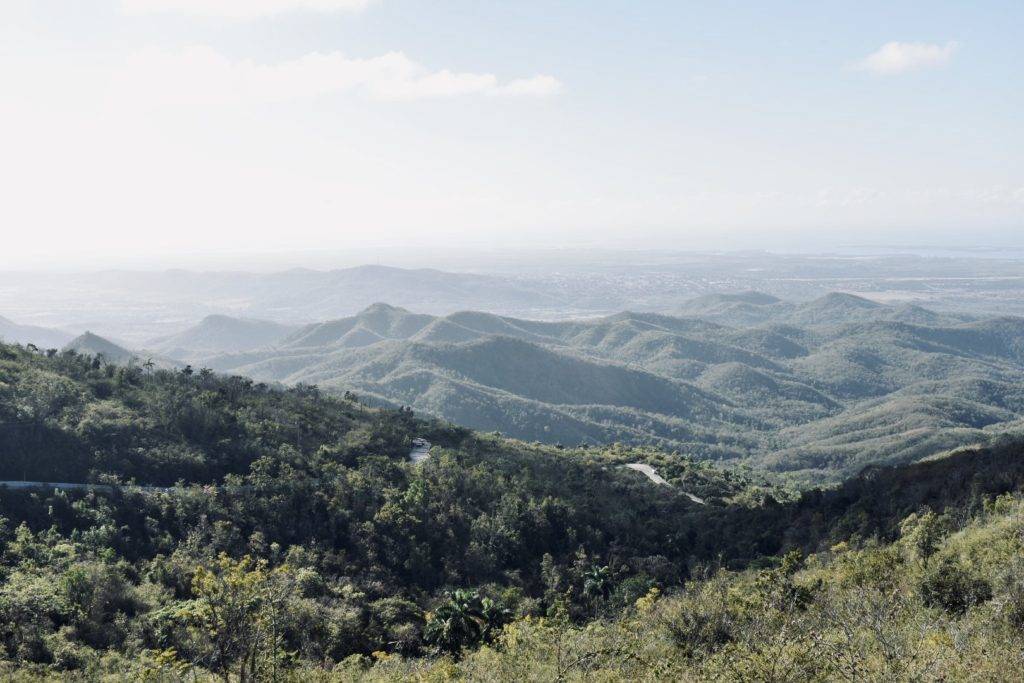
[(72, 417)]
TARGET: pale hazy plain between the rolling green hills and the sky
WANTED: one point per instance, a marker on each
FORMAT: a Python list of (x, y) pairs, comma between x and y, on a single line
[(137, 307)]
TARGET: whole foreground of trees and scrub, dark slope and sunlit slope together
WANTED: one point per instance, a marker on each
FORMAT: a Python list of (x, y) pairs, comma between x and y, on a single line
[(302, 543)]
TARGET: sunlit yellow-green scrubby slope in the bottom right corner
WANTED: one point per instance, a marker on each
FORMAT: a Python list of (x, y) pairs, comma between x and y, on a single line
[(944, 604)]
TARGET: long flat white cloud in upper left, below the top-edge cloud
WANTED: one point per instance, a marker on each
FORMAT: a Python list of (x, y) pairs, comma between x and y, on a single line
[(202, 76)]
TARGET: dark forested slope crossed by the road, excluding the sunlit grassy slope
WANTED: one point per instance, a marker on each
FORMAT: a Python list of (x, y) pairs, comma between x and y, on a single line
[(319, 524)]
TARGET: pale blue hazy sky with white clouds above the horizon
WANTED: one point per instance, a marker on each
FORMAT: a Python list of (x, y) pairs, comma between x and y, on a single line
[(135, 131)]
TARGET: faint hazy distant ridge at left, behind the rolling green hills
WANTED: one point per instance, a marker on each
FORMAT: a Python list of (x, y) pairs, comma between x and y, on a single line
[(140, 307)]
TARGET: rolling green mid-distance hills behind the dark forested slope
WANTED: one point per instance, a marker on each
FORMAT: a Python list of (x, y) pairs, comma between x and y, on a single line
[(817, 391)]
